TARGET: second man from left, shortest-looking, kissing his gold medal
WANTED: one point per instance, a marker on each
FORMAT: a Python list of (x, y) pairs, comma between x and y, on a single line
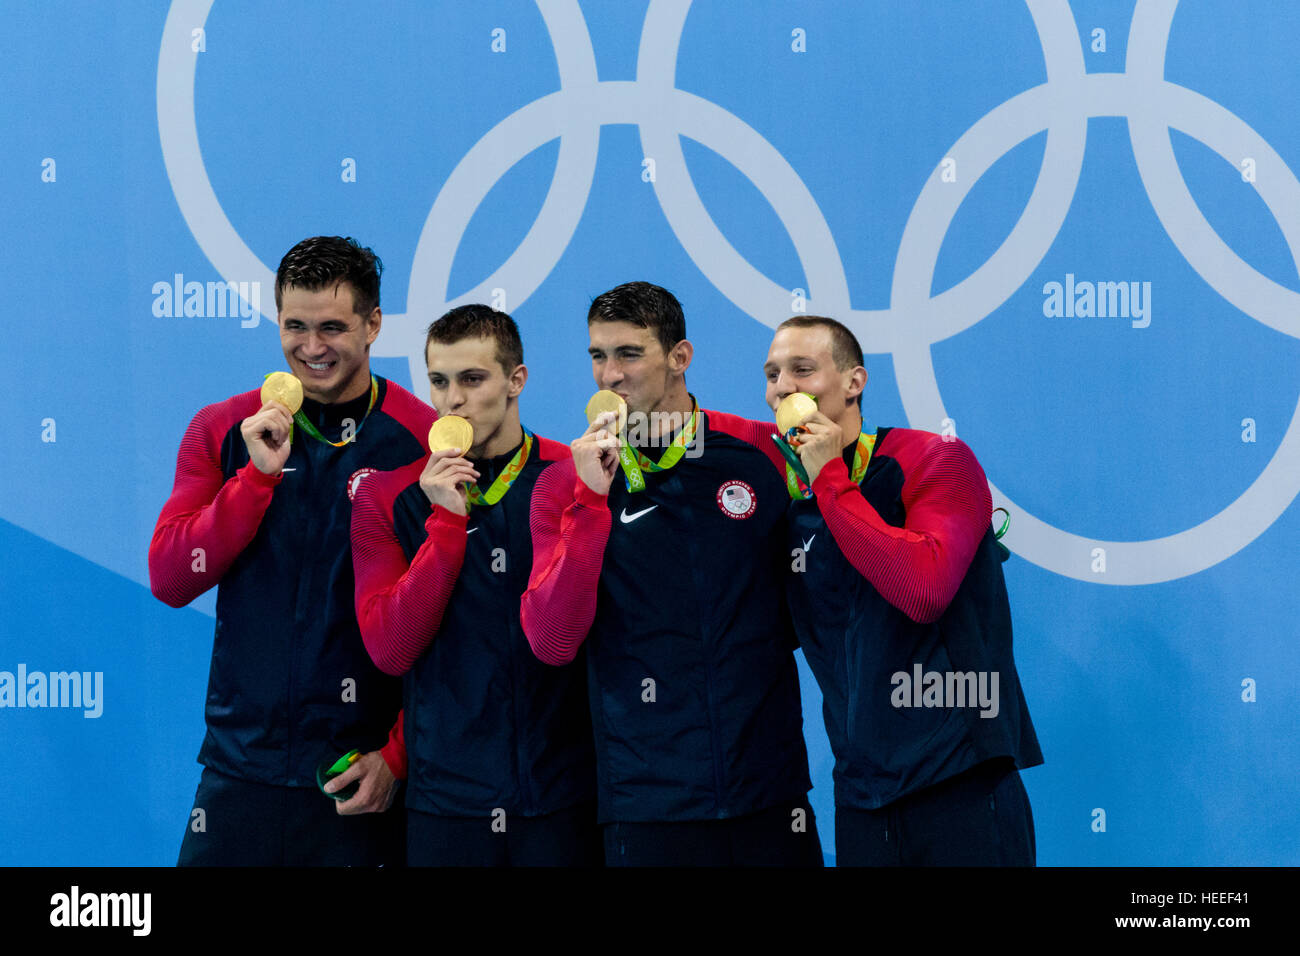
[(500, 746)]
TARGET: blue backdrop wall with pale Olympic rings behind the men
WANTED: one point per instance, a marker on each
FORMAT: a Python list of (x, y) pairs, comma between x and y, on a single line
[(1068, 233)]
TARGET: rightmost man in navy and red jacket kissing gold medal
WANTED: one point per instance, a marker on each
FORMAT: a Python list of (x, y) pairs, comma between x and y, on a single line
[(902, 608)]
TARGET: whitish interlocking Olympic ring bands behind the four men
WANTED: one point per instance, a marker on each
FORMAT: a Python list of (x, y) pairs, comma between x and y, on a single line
[(582, 97)]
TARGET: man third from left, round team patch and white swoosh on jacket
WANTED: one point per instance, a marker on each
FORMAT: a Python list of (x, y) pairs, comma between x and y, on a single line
[(671, 578)]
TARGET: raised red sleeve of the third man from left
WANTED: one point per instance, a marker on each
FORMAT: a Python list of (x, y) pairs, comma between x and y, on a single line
[(570, 526)]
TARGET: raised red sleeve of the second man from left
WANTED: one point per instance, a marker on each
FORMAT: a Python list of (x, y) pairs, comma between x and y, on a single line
[(400, 607)]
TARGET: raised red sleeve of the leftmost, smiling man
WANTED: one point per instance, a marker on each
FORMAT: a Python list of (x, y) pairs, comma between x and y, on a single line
[(209, 521)]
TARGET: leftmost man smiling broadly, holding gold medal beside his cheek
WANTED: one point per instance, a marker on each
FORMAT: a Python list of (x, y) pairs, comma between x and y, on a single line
[(262, 509)]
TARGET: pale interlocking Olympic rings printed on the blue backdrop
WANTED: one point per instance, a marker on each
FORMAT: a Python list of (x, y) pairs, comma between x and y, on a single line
[(915, 321)]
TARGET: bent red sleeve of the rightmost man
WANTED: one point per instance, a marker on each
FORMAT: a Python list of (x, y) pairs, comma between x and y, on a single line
[(918, 568)]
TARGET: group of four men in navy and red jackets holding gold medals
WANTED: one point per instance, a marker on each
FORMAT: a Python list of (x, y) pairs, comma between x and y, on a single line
[(597, 642)]
